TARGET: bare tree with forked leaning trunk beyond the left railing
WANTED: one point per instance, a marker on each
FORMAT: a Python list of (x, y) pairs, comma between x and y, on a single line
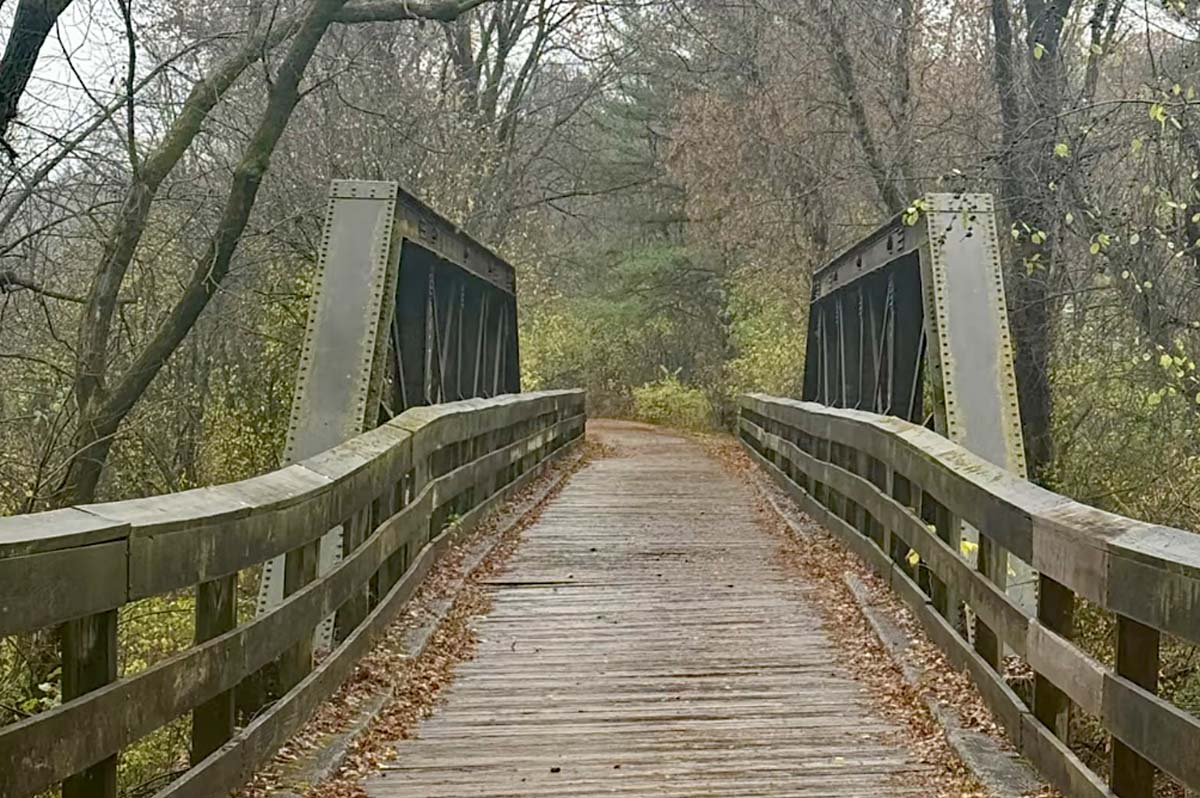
[(103, 399)]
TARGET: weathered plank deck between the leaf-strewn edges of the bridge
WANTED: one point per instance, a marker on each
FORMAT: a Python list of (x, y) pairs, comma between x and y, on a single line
[(645, 641)]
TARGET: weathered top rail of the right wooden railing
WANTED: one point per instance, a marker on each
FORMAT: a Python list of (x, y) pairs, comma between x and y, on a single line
[(1081, 548)]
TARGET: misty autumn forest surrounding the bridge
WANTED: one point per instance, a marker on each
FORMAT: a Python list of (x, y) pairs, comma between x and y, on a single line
[(664, 175)]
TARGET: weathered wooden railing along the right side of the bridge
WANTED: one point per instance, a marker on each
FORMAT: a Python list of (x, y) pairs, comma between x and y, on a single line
[(889, 489)]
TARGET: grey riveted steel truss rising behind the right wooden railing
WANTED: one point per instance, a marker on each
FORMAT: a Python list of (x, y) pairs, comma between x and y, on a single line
[(922, 305)]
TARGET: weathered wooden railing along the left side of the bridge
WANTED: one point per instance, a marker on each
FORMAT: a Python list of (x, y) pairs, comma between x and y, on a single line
[(400, 493)]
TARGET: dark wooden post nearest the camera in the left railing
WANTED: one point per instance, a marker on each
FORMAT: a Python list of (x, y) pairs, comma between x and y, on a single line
[(89, 662)]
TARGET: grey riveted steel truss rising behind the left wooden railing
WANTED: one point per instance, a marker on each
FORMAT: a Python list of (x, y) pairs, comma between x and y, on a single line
[(407, 310)]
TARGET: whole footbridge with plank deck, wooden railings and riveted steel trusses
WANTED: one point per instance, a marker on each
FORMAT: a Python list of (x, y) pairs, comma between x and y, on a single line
[(639, 625)]
